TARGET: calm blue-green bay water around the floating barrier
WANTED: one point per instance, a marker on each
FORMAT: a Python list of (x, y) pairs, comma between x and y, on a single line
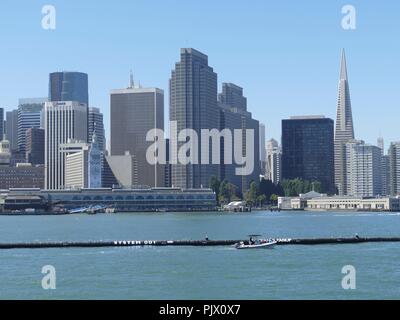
[(285, 272)]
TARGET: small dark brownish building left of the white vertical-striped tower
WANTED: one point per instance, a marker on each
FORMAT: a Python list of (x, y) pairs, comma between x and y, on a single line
[(35, 146)]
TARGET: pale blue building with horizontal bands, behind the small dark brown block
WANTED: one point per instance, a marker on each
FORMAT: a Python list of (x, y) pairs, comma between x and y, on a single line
[(29, 116)]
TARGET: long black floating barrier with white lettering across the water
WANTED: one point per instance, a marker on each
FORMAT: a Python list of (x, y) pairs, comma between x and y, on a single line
[(198, 243)]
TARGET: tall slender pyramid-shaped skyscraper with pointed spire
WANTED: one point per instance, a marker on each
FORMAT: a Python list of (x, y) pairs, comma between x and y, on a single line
[(344, 128)]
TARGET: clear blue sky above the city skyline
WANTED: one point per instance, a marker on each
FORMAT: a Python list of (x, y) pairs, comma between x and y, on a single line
[(285, 54)]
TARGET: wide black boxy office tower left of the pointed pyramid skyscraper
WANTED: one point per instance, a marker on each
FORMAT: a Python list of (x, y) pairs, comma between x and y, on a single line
[(308, 150)]
